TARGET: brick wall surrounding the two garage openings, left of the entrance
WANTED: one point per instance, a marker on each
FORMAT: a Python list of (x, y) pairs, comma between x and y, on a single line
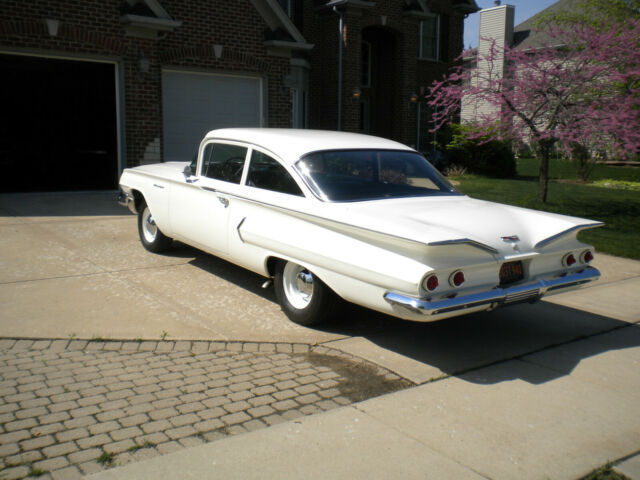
[(91, 29)]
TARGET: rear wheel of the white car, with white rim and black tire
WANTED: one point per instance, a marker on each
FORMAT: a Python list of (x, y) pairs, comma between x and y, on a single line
[(303, 297)]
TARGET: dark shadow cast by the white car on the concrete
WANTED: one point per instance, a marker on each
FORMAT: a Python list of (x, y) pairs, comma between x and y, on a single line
[(462, 345)]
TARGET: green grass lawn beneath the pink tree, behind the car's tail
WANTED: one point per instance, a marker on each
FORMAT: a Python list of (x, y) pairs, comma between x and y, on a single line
[(618, 208)]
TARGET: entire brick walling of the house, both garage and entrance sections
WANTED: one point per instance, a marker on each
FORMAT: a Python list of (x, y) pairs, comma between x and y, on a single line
[(91, 29)]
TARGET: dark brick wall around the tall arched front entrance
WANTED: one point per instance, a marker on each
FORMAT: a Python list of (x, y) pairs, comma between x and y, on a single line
[(410, 74)]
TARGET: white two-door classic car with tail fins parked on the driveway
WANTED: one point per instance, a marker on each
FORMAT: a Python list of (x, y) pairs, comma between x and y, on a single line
[(331, 216)]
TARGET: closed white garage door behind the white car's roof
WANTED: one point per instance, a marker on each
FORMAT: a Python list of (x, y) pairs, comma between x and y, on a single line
[(195, 103)]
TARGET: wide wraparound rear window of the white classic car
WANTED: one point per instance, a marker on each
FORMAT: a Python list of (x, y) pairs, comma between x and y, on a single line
[(353, 175)]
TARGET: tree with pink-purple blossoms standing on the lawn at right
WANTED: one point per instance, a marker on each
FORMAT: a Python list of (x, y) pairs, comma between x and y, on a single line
[(579, 90)]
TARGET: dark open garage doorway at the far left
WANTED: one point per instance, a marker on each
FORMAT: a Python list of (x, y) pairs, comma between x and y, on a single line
[(58, 126)]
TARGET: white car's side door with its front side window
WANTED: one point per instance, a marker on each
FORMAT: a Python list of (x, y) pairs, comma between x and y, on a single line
[(199, 207)]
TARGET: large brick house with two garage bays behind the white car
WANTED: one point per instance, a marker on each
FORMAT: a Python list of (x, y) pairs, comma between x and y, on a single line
[(93, 86)]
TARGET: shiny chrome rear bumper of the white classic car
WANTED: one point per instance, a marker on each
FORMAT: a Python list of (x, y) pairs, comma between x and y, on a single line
[(526, 292)]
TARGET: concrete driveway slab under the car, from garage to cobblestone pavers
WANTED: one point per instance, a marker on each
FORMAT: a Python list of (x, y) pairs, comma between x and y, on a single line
[(73, 267)]
